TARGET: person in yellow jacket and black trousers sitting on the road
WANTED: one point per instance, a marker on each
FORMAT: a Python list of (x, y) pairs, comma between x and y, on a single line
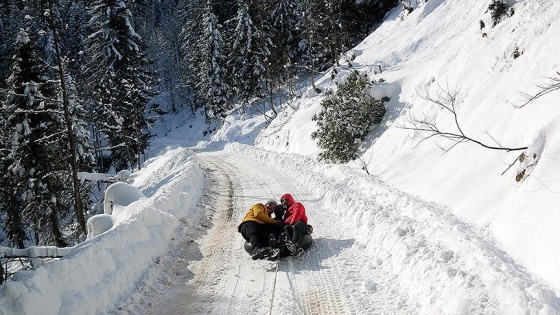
[(256, 227)]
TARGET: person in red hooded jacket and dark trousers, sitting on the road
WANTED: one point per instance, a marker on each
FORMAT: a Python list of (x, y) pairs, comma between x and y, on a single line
[(295, 219)]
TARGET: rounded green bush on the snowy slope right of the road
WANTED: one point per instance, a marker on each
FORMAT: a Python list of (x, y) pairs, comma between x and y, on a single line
[(346, 118)]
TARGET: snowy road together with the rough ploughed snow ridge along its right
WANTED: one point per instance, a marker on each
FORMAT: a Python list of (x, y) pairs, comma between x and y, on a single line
[(376, 251)]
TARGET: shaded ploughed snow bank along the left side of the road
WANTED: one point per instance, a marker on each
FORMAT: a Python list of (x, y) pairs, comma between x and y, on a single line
[(100, 271)]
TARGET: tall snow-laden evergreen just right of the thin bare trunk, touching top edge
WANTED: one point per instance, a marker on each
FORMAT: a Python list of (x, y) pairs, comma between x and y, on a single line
[(120, 82)]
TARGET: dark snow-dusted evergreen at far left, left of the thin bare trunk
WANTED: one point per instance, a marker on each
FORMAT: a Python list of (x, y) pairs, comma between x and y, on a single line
[(34, 126)]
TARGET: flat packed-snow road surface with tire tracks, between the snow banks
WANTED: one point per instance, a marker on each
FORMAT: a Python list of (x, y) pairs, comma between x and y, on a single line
[(210, 281)]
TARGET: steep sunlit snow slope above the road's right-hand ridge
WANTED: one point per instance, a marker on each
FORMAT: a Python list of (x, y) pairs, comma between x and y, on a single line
[(440, 48)]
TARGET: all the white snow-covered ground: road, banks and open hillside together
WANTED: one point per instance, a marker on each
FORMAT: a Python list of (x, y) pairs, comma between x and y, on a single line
[(431, 231)]
